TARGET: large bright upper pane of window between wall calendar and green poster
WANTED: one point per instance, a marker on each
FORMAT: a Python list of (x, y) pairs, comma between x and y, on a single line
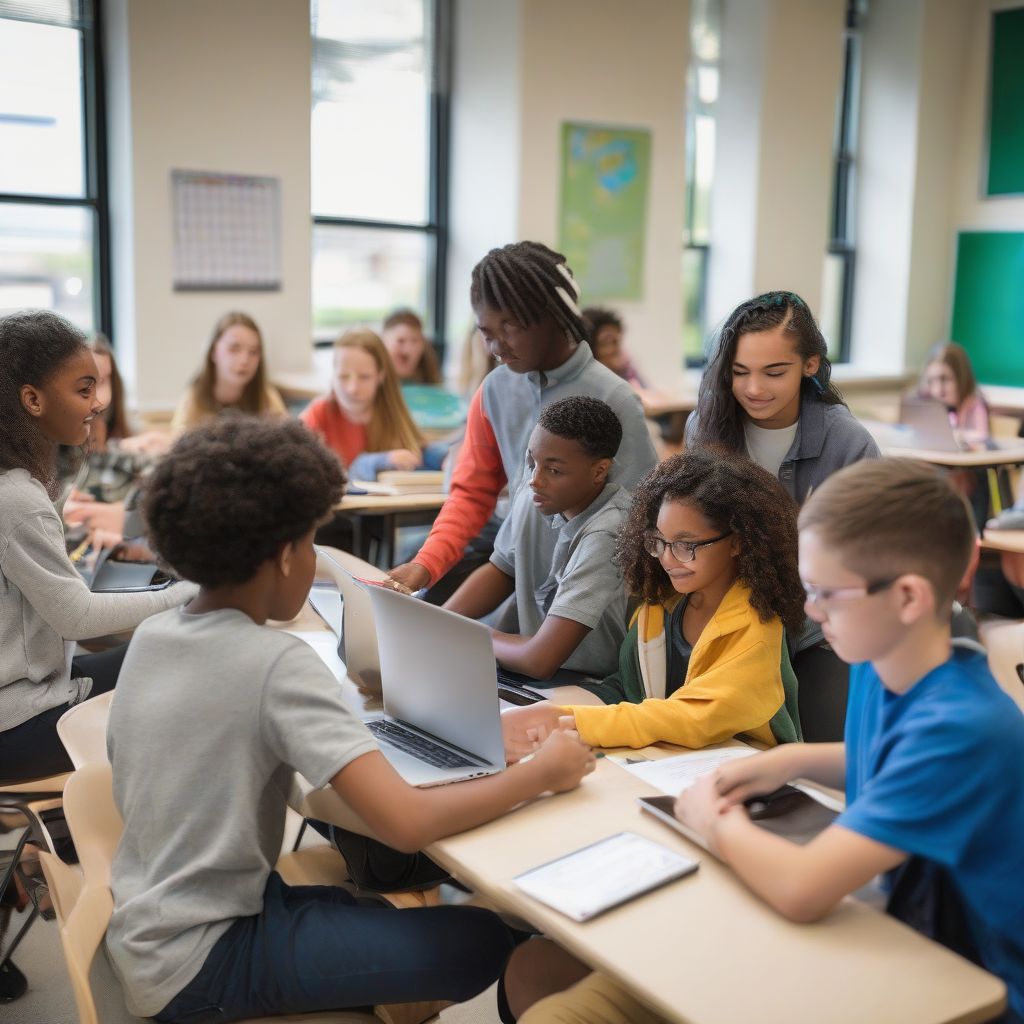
[(371, 110)]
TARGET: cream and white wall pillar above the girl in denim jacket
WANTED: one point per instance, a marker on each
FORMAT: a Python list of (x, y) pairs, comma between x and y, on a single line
[(782, 63)]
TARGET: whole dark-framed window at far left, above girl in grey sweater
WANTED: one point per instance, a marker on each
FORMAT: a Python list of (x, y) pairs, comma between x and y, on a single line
[(54, 225)]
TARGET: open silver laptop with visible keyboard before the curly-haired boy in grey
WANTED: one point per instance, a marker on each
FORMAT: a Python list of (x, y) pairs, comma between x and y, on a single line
[(442, 721)]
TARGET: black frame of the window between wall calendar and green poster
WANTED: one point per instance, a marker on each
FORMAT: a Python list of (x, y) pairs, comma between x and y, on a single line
[(439, 149)]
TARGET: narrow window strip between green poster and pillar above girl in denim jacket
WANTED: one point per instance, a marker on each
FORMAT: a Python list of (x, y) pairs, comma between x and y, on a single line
[(702, 95)]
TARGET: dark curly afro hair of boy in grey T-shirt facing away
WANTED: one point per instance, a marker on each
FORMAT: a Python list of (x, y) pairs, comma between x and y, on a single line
[(233, 492)]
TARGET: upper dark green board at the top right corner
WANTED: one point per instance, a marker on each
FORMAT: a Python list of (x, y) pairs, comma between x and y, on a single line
[(1006, 122)]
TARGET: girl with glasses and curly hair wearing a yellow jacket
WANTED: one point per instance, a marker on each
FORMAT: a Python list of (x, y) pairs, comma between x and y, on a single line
[(710, 548)]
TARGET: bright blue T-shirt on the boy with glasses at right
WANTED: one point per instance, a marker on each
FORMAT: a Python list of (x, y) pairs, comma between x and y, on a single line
[(938, 772)]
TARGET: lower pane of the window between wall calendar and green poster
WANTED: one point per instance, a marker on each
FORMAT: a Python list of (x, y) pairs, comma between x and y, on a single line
[(361, 275)]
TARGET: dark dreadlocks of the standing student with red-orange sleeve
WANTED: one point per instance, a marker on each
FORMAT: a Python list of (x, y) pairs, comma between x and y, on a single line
[(531, 282)]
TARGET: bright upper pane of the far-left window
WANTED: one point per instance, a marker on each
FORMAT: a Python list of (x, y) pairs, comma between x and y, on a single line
[(41, 143)]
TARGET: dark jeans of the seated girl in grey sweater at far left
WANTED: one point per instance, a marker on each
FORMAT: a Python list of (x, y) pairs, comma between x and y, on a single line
[(33, 749)]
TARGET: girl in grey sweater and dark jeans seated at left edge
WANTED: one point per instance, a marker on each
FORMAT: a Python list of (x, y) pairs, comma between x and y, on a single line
[(48, 399)]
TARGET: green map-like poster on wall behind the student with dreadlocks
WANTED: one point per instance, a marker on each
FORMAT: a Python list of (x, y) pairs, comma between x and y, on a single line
[(604, 214)]
